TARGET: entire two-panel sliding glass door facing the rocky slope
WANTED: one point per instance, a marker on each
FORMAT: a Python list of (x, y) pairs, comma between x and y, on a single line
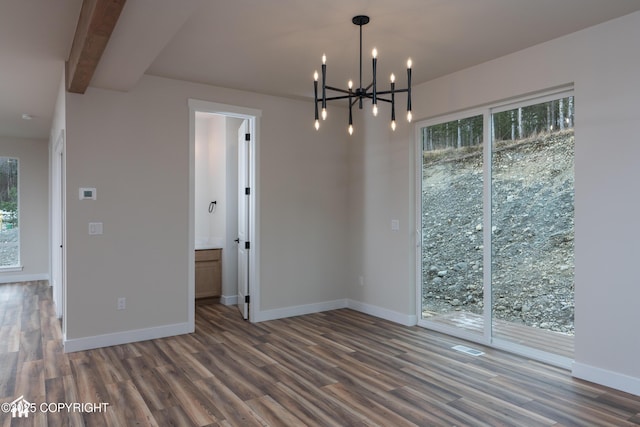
[(496, 220)]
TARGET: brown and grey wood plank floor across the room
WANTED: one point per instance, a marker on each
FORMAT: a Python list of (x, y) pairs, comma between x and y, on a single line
[(338, 368)]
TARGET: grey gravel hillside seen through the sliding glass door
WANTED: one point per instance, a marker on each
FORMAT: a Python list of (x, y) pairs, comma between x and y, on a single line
[(532, 232)]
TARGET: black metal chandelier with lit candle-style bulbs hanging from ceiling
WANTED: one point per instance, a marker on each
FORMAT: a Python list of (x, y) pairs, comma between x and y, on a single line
[(358, 94)]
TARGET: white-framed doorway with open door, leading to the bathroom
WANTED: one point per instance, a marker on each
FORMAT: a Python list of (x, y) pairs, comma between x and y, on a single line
[(235, 210)]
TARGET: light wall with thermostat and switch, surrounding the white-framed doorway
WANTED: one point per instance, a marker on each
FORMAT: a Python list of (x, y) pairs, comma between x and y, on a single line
[(134, 148)]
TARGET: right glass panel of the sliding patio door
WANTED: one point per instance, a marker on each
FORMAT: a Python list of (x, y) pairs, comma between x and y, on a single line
[(532, 224)]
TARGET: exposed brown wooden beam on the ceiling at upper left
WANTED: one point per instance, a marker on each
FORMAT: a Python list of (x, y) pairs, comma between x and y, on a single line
[(95, 25)]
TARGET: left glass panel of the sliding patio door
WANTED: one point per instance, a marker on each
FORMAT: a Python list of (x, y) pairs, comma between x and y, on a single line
[(452, 242)]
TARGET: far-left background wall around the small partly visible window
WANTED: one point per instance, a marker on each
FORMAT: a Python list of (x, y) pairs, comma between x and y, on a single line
[(33, 185)]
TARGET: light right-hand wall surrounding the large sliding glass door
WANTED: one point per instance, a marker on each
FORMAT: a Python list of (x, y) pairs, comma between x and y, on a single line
[(602, 64)]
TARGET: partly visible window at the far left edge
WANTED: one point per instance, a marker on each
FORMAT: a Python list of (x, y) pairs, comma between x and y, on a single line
[(9, 217)]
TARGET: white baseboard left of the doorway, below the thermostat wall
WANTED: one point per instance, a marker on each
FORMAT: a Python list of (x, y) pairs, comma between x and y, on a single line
[(106, 340)]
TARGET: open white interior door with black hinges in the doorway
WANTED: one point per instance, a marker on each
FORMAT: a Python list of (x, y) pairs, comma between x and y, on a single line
[(243, 218)]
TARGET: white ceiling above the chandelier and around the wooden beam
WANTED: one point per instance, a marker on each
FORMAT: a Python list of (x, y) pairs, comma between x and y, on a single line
[(270, 47)]
